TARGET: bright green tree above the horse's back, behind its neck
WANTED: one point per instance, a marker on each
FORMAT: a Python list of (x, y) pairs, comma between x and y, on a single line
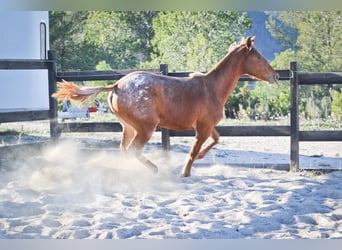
[(180, 35)]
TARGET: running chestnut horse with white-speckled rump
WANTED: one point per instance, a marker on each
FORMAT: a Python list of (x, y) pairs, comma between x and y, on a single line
[(143, 100)]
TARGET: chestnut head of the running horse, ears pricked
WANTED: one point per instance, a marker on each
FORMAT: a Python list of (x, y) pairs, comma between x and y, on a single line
[(255, 64)]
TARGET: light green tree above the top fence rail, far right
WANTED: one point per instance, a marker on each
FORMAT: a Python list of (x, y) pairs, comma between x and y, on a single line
[(318, 43)]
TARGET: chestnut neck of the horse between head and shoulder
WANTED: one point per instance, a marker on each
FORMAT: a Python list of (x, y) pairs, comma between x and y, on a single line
[(225, 75)]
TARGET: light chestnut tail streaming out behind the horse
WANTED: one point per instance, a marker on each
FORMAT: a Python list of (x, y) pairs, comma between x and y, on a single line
[(68, 90)]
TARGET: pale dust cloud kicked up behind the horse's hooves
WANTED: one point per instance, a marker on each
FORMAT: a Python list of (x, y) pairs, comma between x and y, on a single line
[(67, 170)]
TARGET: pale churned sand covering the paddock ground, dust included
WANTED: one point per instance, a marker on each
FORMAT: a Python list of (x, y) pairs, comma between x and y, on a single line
[(69, 193)]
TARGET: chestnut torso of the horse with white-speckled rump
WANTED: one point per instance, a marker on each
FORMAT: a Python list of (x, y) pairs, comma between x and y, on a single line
[(175, 102)]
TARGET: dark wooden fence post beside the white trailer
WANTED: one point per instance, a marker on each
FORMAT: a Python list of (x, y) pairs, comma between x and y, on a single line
[(52, 75)]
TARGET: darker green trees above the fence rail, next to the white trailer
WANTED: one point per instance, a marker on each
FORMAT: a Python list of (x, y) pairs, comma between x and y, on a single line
[(82, 39)]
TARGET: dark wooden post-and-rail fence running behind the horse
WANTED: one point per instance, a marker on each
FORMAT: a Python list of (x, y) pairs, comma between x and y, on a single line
[(296, 78)]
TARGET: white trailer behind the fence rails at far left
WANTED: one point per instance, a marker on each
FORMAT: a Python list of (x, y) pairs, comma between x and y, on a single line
[(23, 90)]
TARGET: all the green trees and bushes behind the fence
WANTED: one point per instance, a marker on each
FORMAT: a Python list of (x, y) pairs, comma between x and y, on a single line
[(195, 41)]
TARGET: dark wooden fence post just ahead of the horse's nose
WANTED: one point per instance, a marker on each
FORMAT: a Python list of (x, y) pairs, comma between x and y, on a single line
[(294, 155)]
